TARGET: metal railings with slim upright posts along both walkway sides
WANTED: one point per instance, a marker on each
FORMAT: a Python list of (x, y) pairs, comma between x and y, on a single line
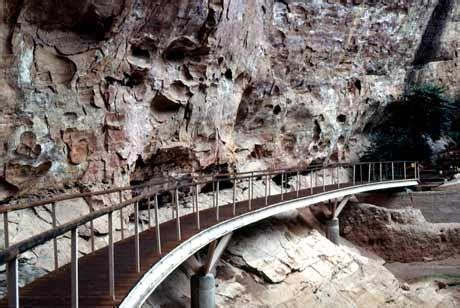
[(375, 172)]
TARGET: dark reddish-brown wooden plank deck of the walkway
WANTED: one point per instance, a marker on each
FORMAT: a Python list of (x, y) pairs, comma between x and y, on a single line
[(54, 289)]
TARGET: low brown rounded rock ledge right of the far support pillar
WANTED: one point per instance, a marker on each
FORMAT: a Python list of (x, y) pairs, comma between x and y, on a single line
[(401, 235)]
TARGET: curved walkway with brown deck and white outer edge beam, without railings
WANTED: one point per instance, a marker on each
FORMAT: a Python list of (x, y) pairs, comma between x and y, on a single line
[(132, 285)]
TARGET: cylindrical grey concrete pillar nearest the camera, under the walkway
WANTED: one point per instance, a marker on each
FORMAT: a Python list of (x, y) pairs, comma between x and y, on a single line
[(203, 291)]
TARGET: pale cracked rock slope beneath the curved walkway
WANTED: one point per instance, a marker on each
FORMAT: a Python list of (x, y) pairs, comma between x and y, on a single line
[(284, 263)]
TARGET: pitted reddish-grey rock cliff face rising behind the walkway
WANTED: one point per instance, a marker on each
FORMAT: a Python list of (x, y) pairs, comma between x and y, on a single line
[(110, 92)]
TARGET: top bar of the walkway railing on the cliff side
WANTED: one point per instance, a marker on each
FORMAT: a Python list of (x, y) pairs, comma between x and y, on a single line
[(200, 179)]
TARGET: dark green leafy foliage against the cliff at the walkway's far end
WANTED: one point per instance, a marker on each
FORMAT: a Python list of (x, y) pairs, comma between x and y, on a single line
[(403, 134)]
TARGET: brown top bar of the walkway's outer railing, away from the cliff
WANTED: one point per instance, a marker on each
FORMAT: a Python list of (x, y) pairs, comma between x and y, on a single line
[(15, 250)]
